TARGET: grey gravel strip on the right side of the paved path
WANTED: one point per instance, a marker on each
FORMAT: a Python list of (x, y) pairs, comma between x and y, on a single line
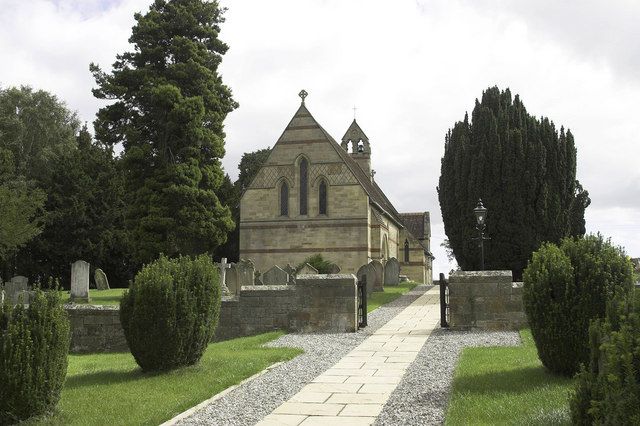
[(422, 395)]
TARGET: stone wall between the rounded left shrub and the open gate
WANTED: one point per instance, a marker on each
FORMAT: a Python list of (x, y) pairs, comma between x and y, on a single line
[(315, 303)]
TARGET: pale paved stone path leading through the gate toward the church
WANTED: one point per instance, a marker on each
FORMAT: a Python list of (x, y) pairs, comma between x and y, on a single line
[(355, 389)]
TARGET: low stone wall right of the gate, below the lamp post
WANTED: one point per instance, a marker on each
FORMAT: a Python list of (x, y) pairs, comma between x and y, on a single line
[(486, 300)]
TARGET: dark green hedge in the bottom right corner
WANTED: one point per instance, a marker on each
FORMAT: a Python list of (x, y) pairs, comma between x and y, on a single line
[(608, 391)]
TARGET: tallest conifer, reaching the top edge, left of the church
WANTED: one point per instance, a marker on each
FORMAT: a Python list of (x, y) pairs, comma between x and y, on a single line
[(170, 104)]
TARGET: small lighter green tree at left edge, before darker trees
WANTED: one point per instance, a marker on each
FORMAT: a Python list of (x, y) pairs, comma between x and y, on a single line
[(20, 209)]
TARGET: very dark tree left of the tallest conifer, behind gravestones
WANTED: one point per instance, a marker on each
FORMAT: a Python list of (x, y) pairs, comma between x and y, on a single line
[(84, 216)]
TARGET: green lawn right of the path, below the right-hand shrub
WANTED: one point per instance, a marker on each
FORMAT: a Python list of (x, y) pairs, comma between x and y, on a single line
[(507, 385)]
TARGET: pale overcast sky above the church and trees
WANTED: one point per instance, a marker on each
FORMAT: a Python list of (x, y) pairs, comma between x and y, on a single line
[(411, 68)]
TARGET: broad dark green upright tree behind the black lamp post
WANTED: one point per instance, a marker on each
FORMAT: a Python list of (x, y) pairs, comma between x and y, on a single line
[(525, 172)]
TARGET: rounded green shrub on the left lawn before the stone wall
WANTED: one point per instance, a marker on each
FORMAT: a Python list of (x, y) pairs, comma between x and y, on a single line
[(170, 312)]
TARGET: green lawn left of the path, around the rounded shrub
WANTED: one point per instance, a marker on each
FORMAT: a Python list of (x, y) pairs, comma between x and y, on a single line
[(110, 389)]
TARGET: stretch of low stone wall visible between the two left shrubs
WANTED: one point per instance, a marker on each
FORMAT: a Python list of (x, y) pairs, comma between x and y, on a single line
[(95, 329)]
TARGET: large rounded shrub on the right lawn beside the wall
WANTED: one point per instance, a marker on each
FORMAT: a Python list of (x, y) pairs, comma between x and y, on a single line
[(565, 288)]
